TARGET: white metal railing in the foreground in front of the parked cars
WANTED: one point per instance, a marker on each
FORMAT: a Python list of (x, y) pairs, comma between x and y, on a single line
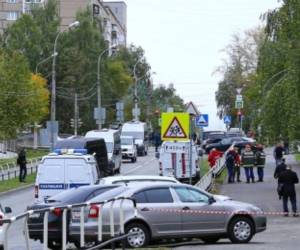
[(114, 237)]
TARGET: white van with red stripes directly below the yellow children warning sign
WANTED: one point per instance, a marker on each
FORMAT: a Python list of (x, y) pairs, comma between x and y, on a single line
[(174, 160)]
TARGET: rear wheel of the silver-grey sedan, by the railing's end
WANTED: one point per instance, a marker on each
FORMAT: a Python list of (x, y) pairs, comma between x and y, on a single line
[(141, 238)]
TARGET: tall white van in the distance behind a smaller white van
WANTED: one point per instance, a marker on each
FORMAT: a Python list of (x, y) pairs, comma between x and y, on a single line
[(138, 130)]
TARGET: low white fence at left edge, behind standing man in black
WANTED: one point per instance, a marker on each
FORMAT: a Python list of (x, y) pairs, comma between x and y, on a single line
[(11, 170)]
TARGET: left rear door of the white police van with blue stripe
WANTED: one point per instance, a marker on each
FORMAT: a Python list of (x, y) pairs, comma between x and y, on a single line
[(51, 178)]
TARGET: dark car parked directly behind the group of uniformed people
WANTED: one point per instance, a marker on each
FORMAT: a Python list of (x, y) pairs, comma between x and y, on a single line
[(224, 144)]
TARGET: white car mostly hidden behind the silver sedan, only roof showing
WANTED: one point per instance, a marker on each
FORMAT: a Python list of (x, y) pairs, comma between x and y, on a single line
[(136, 178)]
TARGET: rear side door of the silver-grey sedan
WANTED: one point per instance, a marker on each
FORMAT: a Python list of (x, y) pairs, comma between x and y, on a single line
[(154, 205)]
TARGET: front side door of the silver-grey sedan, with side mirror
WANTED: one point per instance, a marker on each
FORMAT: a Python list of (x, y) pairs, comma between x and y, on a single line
[(198, 214)]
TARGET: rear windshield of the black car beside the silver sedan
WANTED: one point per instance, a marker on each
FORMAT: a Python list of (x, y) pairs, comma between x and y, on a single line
[(73, 196)]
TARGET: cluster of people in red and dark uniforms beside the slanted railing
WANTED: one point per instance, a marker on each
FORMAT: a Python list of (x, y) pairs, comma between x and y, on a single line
[(247, 160)]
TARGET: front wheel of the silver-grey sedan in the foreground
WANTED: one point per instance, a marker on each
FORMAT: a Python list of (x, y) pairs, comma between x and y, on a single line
[(241, 230)]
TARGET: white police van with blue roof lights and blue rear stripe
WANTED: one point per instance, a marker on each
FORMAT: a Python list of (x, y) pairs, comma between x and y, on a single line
[(58, 172)]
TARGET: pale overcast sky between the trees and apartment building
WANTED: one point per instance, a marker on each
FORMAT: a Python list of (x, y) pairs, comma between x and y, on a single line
[(183, 42)]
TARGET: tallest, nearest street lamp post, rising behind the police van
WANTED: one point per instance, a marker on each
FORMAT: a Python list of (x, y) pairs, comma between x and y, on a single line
[(53, 84)]
